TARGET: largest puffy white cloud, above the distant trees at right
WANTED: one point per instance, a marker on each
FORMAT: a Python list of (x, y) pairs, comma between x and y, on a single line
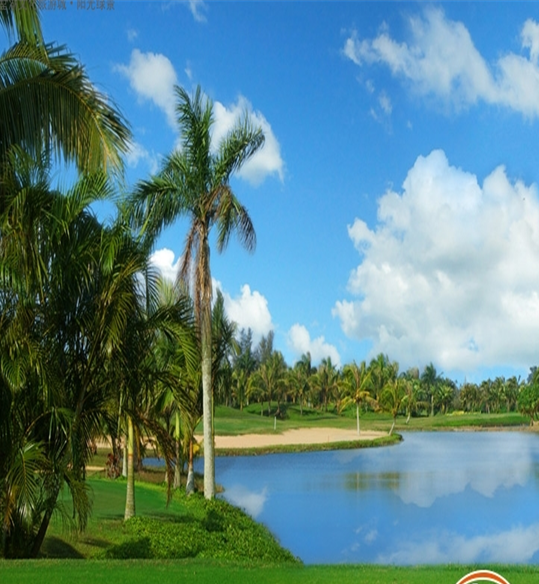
[(450, 273)]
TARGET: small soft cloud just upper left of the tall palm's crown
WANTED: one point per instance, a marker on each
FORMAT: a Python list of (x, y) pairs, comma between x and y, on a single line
[(152, 77)]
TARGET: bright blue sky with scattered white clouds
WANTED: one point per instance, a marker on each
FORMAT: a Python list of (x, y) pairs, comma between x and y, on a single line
[(395, 200)]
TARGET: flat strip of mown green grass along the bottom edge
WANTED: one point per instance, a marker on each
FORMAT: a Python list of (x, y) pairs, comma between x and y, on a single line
[(210, 572)]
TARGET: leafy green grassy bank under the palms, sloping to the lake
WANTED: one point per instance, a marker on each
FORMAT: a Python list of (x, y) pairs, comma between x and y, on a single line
[(188, 527)]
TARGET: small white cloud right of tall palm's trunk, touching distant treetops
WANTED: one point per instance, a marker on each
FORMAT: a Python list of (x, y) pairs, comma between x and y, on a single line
[(249, 310)]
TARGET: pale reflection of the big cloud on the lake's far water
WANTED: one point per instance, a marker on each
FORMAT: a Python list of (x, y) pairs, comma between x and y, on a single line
[(437, 467)]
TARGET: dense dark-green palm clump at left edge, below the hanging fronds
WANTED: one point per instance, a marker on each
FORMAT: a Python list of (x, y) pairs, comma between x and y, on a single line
[(57, 327)]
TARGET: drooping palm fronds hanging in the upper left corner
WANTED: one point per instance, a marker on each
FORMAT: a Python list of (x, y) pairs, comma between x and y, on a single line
[(49, 106)]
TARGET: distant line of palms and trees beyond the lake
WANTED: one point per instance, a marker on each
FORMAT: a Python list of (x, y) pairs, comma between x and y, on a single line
[(260, 374)]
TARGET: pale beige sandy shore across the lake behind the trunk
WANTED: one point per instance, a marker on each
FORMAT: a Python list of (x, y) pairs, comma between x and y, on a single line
[(289, 437)]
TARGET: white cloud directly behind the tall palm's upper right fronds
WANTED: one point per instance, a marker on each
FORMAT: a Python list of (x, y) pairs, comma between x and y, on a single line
[(267, 160)]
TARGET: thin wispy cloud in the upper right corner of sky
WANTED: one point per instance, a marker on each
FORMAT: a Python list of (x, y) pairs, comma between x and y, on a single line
[(441, 59)]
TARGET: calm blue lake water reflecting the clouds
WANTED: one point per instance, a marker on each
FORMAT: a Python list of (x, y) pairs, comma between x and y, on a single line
[(436, 497)]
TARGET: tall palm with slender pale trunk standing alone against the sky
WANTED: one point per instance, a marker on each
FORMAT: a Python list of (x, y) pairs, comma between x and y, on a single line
[(195, 181)]
